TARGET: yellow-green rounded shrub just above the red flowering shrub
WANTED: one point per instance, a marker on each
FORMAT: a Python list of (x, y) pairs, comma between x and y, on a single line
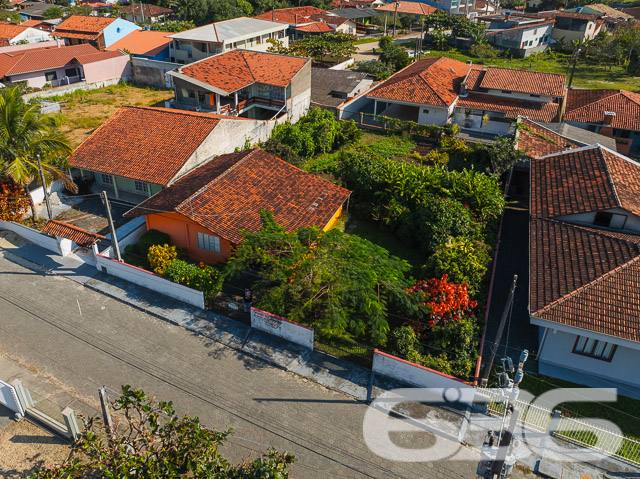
[(465, 262)]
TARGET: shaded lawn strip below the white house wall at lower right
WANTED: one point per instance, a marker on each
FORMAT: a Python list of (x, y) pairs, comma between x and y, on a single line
[(623, 412)]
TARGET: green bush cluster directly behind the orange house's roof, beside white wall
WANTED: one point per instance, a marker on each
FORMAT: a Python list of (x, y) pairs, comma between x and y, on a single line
[(317, 132)]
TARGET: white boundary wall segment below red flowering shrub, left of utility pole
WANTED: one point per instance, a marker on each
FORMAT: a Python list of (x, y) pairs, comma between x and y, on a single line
[(421, 376)]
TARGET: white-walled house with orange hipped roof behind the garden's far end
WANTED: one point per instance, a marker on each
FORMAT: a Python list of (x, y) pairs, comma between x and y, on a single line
[(425, 92)]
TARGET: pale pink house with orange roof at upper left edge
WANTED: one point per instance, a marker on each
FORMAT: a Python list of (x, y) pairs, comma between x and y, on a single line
[(59, 66)]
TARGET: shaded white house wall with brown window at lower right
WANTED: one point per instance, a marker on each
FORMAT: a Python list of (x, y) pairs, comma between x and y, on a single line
[(557, 360)]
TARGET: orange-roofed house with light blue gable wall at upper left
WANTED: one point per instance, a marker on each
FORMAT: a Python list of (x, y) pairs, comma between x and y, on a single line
[(101, 32)]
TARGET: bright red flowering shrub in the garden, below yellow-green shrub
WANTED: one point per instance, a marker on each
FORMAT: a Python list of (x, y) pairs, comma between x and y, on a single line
[(440, 301)]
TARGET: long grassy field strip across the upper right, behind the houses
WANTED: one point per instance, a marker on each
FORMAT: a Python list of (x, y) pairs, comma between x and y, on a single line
[(587, 75)]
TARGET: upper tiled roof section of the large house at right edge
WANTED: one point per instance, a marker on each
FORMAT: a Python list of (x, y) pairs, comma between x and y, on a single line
[(583, 180)]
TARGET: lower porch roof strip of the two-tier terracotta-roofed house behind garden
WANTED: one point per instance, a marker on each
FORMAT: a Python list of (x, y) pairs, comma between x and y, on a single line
[(511, 107)]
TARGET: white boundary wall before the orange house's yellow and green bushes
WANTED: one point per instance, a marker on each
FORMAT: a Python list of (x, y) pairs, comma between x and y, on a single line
[(150, 281)]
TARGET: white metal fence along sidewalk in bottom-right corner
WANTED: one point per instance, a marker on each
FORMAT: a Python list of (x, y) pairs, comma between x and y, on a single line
[(576, 431)]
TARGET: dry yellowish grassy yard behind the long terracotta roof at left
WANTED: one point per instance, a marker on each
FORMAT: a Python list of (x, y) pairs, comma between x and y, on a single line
[(83, 112)]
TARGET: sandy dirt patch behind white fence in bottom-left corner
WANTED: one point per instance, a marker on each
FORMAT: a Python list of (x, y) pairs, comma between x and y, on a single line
[(25, 447)]
